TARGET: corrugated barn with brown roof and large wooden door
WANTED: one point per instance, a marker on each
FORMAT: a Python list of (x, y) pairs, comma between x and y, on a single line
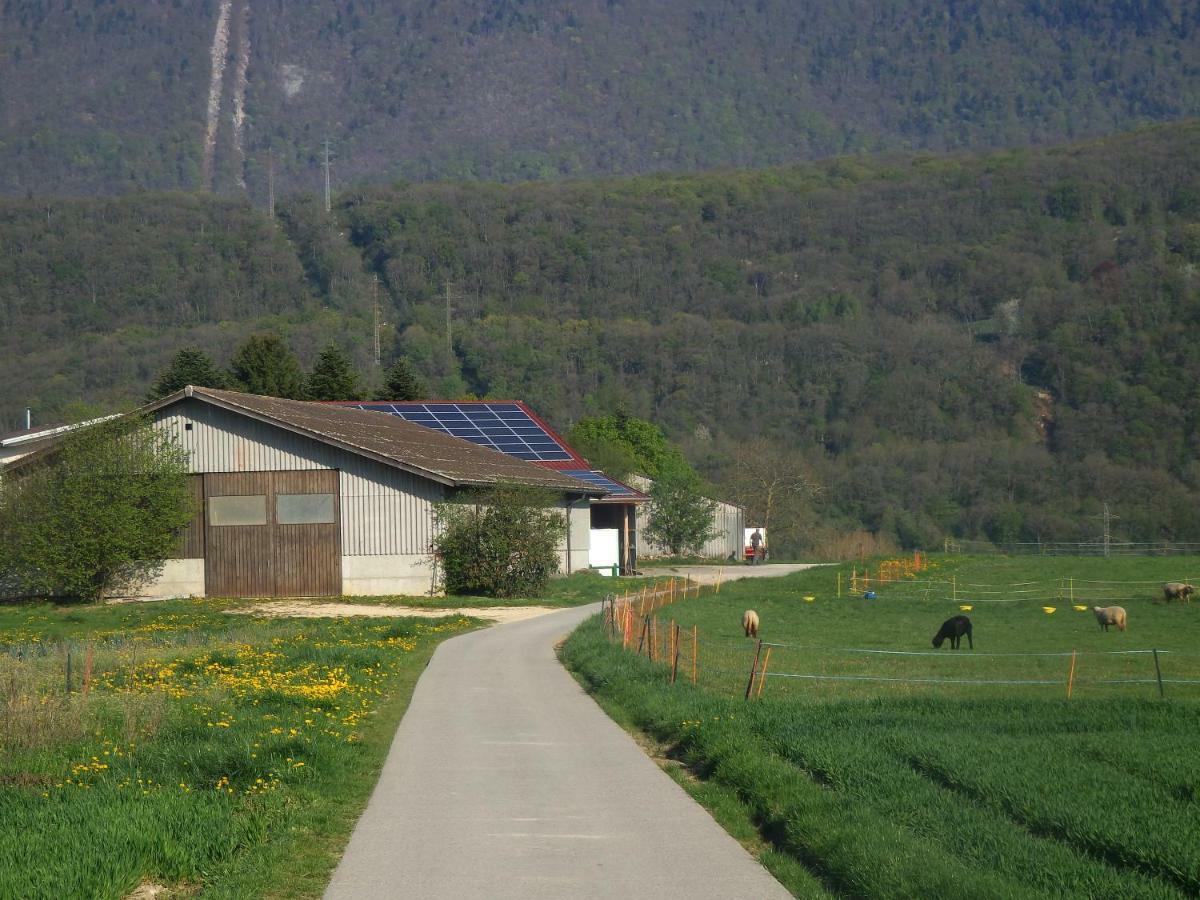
[(313, 500)]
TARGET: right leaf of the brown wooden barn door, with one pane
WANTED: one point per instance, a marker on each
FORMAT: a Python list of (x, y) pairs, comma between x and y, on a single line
[(308, 535)]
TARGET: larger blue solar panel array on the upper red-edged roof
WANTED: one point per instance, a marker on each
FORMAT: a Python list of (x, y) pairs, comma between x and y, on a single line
[(499, 427)]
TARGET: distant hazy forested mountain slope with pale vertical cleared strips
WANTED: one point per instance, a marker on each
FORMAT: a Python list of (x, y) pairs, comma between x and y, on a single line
[(104, 98)]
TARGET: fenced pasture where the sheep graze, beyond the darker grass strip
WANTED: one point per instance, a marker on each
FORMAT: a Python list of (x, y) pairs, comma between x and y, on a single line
[(831, 649)]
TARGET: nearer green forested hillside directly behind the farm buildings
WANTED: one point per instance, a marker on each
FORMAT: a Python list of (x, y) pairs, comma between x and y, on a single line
[(979, 346)]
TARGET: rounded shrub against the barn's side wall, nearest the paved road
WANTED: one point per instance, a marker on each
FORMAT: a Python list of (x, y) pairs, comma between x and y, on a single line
[(502, 542)]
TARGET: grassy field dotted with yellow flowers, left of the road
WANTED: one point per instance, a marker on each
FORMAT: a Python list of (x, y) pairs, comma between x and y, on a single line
[(214, 754)]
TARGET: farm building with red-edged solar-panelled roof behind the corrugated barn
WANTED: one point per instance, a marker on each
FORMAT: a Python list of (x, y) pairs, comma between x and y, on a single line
[(514, 429)]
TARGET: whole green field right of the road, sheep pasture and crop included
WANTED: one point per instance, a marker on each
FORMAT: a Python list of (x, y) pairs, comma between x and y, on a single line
[(891, 776)]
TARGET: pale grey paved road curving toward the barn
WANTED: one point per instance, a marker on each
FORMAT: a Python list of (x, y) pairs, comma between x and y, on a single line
[(507, 781)]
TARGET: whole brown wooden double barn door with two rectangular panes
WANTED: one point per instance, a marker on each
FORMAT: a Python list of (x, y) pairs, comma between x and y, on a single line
[(273, 535)]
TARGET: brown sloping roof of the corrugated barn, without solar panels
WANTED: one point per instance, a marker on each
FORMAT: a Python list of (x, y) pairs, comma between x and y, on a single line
[(388, 440)]
